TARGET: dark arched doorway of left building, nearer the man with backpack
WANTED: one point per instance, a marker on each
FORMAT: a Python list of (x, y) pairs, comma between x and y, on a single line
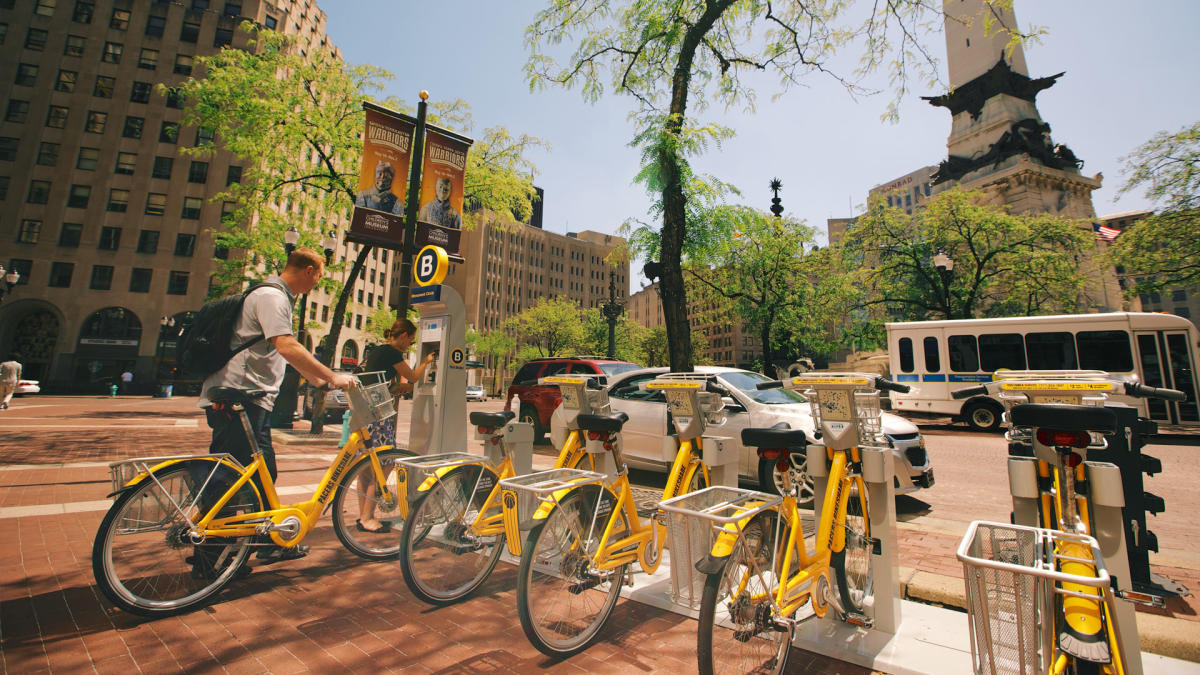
[(109, 347)]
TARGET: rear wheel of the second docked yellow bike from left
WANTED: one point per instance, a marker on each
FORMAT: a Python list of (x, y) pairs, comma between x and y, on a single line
[(555, 594)]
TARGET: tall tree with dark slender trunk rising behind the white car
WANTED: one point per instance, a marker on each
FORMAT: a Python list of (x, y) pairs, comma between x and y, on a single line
[(670, 55)]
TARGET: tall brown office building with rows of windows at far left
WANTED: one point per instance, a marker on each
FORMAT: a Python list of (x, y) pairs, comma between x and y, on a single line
[(109, 225)]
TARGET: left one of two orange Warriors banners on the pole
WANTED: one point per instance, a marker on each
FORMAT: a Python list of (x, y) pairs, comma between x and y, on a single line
[(380, 204)]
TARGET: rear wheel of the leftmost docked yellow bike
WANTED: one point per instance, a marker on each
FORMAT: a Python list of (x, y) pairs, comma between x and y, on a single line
[(441, 560)]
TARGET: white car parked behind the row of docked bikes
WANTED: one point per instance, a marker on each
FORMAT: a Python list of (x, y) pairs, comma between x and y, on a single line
[(749, 408)]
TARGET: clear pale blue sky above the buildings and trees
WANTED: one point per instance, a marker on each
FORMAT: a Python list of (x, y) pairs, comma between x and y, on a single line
[(1127, 77)]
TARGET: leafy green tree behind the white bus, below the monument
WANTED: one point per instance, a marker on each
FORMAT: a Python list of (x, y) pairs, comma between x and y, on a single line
[(1004, 265)]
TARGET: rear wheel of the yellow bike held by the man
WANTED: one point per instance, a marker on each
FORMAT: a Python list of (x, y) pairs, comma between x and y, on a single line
[(141, 557)]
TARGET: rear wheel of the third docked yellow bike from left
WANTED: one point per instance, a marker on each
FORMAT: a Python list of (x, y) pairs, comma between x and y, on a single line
[(739, 632)]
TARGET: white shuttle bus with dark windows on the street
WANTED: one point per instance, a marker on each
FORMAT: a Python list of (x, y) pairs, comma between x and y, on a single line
[(940, 357)]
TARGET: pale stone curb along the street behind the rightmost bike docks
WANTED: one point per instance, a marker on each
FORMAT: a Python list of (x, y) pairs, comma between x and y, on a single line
[(1165, 636)]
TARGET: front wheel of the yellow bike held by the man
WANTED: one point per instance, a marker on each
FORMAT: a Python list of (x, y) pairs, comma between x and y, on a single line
[(352, 499)]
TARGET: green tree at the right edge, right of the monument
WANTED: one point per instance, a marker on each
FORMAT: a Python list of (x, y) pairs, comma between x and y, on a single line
[(1163, 252)]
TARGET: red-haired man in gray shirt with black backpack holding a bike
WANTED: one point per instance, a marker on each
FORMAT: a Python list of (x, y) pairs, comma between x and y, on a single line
[(267, 318)]
